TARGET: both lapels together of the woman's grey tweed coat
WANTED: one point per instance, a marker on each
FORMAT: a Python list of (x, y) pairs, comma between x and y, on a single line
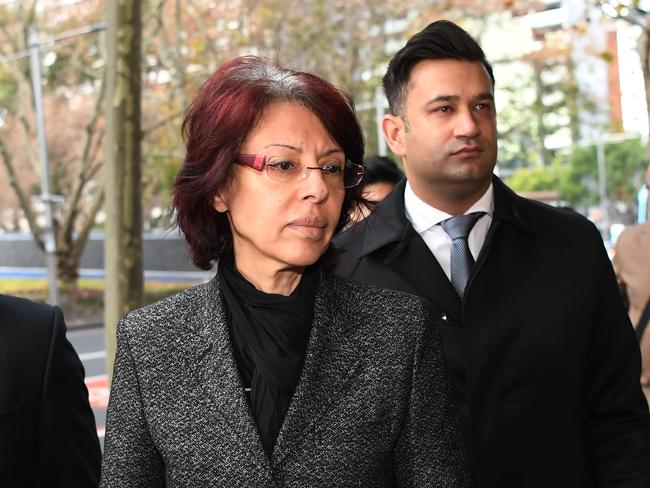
[(333, 354)]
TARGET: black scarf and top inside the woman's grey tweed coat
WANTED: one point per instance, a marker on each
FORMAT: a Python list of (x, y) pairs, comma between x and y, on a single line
[(269, 335)]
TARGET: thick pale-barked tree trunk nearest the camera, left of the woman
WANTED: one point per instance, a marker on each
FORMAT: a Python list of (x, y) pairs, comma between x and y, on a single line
[(123, 242)]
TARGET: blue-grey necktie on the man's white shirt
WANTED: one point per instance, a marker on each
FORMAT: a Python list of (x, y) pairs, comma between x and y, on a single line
[(458, 227)]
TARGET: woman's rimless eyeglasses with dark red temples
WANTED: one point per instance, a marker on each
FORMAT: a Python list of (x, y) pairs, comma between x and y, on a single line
[(286, 170)]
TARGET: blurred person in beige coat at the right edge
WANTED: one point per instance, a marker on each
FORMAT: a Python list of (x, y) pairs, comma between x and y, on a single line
[(632, 265)]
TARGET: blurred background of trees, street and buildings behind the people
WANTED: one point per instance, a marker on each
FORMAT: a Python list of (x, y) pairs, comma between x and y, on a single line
[(572, 81)]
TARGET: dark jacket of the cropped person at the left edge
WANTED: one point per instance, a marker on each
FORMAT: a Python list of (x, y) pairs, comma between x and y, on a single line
[(47, 429)]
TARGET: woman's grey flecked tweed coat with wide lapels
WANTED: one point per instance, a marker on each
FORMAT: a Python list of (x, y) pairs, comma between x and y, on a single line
[(371, 409)]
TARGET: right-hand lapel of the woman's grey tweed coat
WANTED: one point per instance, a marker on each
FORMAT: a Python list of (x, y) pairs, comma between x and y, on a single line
[(330, 363)]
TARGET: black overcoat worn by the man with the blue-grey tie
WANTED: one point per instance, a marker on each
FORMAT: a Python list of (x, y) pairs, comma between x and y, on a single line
[(544, 361)]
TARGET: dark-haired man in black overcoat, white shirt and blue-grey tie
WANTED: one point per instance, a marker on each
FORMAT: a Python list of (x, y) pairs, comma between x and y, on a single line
[(542, 357)]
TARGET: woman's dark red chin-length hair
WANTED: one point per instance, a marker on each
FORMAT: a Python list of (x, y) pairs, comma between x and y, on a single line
[(225, 109)]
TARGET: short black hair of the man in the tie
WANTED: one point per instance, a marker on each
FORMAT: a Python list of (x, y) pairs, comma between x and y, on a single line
[(439, 40)]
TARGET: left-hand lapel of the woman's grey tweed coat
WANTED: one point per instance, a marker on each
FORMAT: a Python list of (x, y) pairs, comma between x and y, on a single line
[(213, 361)]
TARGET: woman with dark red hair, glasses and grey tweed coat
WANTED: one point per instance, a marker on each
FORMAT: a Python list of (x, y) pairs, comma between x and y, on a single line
[(277, 372)]
